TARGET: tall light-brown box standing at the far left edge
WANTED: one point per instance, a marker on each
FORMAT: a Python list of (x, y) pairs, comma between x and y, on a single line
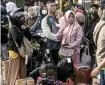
[(4, 71)]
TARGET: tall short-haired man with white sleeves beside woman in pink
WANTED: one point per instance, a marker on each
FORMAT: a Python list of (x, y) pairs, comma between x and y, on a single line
[(49, 29)]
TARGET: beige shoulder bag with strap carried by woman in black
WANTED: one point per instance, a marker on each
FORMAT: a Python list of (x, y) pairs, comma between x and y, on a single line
[(26, 49)]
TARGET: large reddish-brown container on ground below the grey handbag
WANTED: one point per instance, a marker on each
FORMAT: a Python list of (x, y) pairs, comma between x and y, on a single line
[(82, 74)]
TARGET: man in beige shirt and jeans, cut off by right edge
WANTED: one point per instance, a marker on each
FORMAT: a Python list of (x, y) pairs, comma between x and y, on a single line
[(99, 39)]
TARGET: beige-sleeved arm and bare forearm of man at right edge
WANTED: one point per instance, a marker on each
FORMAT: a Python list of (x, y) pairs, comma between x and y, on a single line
[(100, 43)]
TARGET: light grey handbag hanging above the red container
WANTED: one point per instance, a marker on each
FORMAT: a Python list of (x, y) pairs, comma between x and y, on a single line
[(86, 58)]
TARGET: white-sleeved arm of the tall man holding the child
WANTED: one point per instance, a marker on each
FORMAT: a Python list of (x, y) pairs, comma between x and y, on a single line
[(46, 30)]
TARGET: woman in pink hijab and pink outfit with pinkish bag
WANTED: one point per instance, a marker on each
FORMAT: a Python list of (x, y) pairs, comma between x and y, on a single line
[(70, 35)]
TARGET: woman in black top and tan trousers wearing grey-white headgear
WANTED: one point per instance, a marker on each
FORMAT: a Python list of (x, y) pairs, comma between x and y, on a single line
[(17, 67)]
